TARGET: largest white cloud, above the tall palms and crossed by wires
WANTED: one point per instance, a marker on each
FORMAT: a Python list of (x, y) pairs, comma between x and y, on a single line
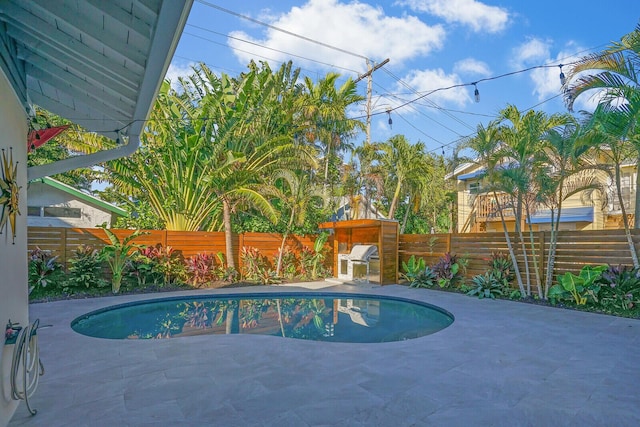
[(355, 27)]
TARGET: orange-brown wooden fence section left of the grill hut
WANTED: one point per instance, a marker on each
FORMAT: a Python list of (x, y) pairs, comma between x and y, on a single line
[(64, 241)]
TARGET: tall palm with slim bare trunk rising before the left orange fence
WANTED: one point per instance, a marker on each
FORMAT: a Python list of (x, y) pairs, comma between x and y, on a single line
[(255, 124)]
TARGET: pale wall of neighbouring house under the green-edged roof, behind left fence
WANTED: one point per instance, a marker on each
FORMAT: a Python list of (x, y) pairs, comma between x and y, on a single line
[(44, 195)]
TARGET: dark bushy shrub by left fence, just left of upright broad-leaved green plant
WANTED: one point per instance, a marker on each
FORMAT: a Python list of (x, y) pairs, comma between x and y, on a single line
[(86, 269)]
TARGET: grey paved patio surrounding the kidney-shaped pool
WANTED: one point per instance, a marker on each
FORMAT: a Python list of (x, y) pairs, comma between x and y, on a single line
[(501, 363)]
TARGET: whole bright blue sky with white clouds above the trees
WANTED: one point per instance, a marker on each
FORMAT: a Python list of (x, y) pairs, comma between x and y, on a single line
[(431, 45)]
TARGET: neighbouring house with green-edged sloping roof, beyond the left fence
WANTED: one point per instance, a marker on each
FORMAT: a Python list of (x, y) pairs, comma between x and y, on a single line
[(51, 203)]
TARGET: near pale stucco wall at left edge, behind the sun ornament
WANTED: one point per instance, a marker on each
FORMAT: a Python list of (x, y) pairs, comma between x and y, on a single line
[(13, 259)]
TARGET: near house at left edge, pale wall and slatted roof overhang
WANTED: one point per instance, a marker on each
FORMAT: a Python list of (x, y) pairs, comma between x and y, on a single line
[(99, 64)]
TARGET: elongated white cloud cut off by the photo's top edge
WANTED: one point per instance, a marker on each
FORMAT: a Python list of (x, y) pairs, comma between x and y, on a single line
[(477, 15)]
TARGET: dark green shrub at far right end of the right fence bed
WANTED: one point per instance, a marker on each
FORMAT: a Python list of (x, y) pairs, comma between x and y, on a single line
[(620, 290)]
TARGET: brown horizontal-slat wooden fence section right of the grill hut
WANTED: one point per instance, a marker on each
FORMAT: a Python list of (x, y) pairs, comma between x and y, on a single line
[(574, 250)]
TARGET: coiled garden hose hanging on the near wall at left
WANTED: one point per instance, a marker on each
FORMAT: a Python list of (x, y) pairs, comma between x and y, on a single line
[(26, 366)]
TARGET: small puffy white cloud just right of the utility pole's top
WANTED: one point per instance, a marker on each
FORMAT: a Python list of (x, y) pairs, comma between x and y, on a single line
[(424, 81)]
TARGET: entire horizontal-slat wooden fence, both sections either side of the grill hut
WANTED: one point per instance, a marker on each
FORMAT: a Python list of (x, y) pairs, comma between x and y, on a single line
[(574, 250)]
